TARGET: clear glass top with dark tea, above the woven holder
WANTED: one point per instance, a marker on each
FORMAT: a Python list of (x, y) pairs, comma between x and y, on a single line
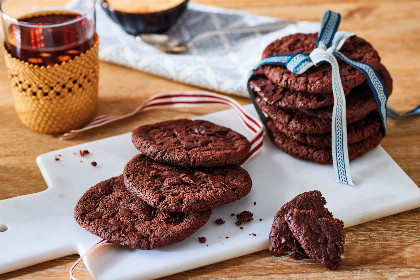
[(48, 32)]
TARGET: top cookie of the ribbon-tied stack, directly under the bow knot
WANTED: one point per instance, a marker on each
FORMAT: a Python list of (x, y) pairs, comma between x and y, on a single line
[(318, 79)]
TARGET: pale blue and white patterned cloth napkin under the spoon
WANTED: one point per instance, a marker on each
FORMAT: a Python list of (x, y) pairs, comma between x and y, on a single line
[(219, 63)]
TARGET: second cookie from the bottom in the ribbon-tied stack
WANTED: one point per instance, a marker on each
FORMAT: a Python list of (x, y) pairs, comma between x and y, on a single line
[(356, 132)]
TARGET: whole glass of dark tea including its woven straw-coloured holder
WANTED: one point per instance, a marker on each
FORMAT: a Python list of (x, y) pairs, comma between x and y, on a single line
[(50, 49)]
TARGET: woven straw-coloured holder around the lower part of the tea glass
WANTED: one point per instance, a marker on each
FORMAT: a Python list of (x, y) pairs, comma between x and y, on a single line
[(57, 98)]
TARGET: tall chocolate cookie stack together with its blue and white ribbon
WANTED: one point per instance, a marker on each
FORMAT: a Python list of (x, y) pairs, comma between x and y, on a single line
[(332, 113)]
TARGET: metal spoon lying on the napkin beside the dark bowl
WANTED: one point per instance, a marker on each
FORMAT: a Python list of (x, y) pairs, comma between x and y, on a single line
[(171, 44)]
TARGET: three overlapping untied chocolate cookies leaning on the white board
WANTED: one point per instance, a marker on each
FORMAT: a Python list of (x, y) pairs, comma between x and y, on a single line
[(166, 193)]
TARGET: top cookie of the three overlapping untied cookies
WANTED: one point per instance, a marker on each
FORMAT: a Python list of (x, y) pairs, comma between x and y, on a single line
[(191, 143)]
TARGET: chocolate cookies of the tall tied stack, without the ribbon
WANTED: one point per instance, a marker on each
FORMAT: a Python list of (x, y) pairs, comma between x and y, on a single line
[(300, 107)]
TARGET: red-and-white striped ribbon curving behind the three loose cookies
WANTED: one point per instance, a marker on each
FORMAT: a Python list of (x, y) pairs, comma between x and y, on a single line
[(186, 99)]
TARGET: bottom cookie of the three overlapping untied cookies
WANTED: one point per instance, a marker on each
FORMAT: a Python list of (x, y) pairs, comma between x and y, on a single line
[(111, 212)]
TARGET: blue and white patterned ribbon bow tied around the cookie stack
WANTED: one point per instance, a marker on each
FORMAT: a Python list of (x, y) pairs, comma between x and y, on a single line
[(329, 43)]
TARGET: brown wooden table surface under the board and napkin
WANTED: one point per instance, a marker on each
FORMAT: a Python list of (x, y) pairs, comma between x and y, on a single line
[(382, 249)]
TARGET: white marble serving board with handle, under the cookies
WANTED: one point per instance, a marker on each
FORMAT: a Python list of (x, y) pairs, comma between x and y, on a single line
[(41, 227)]
